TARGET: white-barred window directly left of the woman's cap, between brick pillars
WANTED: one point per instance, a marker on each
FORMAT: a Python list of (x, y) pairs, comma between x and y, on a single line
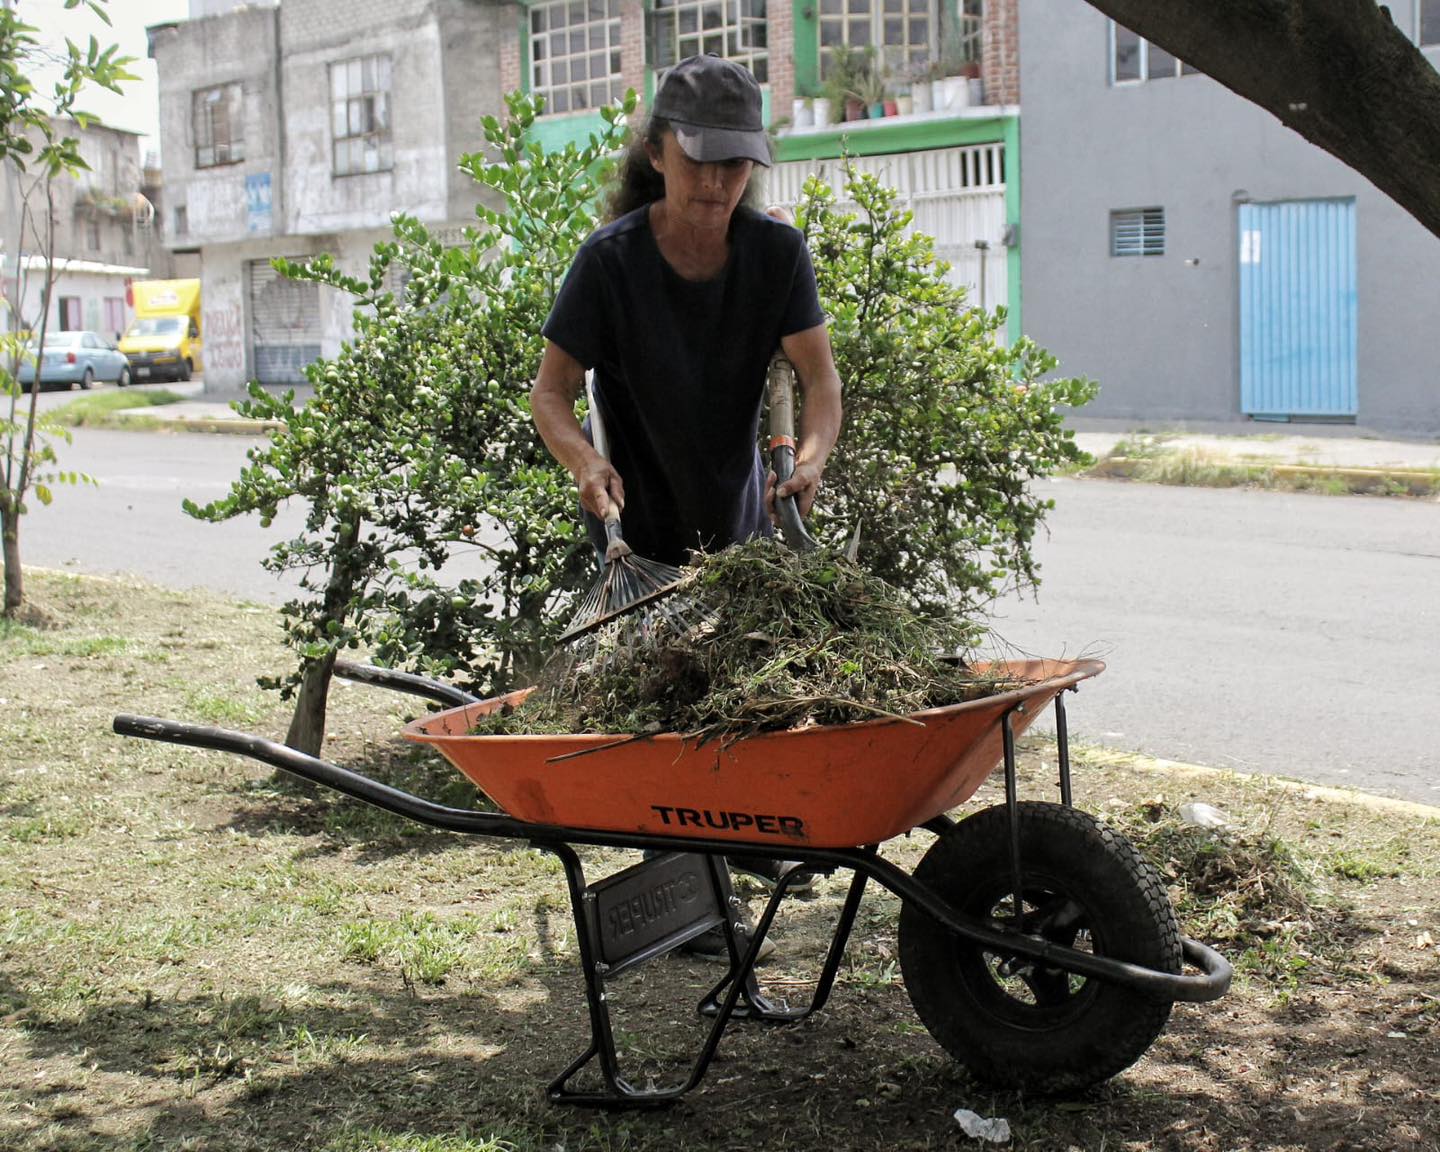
[(575, 54)]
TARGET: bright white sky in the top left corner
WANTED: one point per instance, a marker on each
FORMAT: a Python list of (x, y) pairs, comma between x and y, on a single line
[(139, 107)]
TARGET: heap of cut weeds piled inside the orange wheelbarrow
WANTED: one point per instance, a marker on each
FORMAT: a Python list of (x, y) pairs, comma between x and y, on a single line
[(765, 640)]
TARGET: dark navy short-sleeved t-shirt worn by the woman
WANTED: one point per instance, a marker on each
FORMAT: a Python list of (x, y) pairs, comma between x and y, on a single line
[(680, 372)]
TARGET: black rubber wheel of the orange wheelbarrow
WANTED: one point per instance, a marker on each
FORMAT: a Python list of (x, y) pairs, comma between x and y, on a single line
[(1016, 1023)]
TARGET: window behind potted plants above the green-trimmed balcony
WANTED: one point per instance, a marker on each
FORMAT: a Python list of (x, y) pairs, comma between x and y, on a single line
[(905, 34)]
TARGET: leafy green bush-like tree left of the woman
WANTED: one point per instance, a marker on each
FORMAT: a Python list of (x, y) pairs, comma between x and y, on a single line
[(417, 457)]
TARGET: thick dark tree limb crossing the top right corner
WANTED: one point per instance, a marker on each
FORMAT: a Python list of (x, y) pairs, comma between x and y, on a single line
[(1336, 71)]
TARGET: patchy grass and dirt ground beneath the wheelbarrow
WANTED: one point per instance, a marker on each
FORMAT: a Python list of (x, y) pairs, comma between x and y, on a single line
[(197, 958)]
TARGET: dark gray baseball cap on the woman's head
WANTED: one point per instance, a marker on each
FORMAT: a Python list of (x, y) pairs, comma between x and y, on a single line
[(714, 106)]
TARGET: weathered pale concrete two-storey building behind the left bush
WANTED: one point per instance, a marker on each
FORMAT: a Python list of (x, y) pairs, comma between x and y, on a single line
[(299, 129)]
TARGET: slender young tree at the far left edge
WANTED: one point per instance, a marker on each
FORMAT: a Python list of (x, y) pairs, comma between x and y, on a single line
[(35, 152)]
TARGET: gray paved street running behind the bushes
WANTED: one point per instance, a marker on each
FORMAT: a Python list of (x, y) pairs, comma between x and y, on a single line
[(1269, 633)]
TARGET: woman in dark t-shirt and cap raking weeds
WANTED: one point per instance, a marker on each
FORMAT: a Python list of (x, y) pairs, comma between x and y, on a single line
[(678, 303)]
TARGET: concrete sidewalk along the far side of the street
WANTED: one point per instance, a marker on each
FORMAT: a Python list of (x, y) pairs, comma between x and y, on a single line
[(1320, 447)]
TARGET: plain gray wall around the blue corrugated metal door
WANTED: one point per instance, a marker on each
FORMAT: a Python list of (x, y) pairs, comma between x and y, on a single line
[(1161, 333)]
